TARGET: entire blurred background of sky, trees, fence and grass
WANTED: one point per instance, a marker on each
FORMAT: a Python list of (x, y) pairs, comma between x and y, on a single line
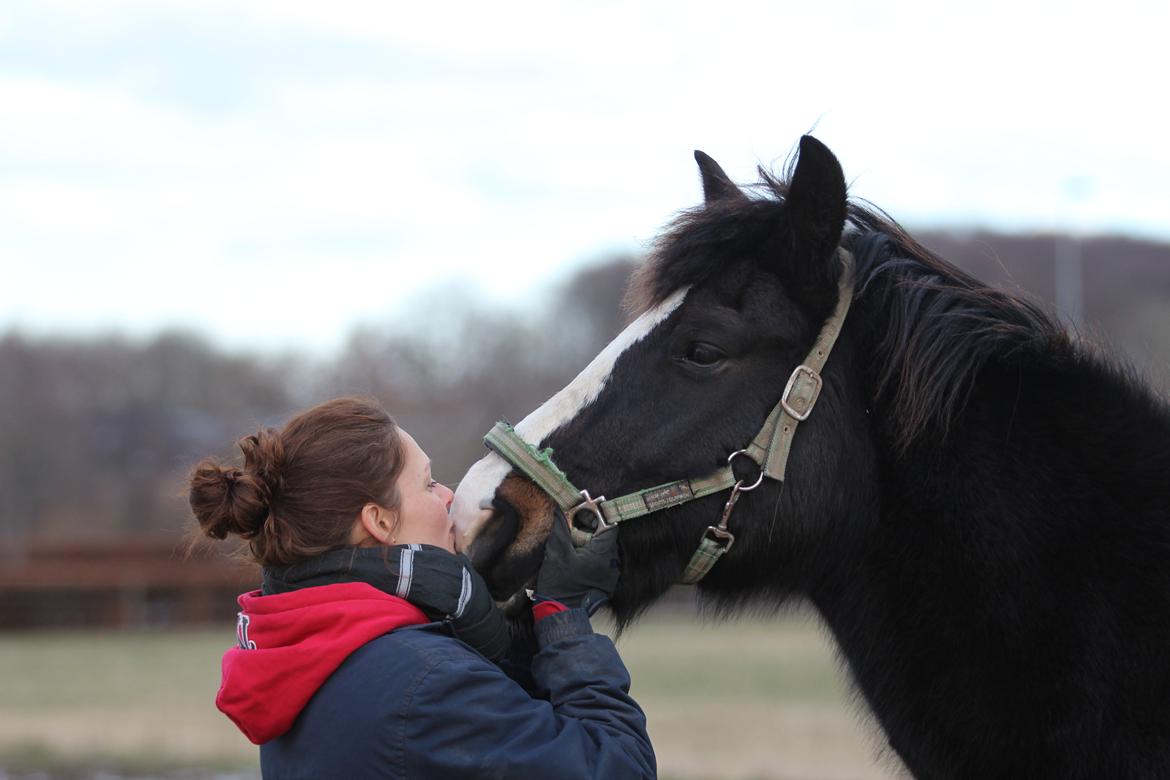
[(214, 215)]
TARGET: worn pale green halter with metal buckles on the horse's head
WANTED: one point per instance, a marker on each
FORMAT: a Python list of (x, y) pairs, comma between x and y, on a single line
[(769, 451)]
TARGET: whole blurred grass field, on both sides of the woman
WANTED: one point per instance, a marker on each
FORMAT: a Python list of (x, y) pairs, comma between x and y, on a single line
[(756, 700)]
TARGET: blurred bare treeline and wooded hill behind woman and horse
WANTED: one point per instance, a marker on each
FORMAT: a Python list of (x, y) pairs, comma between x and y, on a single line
[(97, 436)]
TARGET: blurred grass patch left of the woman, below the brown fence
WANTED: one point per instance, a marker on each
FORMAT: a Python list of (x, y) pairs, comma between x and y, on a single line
[(136, 701)]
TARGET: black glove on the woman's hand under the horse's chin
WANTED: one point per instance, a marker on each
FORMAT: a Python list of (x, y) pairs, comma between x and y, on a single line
[(579, 577)]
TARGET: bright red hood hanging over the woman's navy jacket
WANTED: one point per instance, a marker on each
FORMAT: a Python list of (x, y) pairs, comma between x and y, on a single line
[(290, 644)]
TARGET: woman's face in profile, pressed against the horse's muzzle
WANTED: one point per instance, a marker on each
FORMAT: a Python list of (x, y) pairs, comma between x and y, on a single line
[(423, 502)]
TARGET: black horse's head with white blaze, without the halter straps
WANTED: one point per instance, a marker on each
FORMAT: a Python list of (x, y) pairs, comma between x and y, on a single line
[(728, 306)]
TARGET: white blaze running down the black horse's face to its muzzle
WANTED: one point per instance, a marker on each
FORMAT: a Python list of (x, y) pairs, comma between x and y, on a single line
[(471, 508)]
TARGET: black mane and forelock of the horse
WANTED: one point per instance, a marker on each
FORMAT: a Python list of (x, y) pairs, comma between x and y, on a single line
[(944, 327)]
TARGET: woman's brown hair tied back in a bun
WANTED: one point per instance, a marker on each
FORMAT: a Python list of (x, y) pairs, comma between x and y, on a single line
[(302, 488)]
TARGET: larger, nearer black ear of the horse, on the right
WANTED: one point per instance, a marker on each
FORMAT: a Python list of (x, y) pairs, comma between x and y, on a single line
[(815, 216)]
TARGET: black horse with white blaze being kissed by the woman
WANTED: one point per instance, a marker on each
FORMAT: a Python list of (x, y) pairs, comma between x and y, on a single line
[(975, 501)]
